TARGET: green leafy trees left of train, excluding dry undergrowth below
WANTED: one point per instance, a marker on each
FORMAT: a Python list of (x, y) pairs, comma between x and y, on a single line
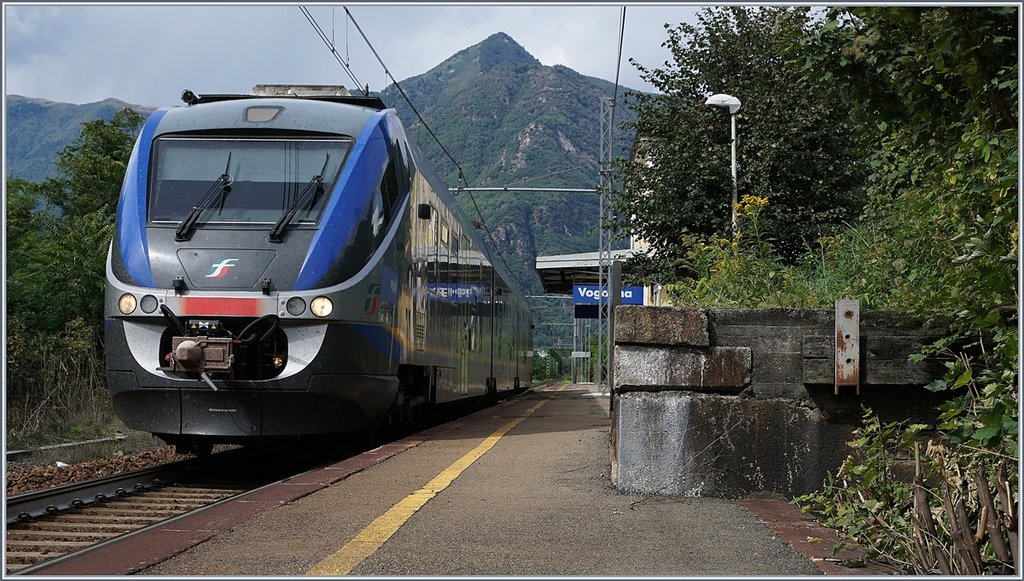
[(59, 231)]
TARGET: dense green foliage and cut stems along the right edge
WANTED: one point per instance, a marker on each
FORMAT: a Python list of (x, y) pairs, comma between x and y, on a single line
[(937, 91)]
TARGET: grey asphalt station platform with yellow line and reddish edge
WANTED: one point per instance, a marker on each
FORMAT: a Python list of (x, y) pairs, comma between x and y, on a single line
[(519, 489)]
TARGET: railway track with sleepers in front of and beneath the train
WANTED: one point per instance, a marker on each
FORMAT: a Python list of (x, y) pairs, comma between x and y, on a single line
[(57, 523)]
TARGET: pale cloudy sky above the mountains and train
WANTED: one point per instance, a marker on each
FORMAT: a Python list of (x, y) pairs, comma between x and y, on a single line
[(148, 55)]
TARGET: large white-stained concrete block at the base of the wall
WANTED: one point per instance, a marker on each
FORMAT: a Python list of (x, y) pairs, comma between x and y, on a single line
[(721, 446)]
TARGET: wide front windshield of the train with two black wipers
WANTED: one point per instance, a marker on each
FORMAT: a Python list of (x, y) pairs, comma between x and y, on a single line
[(265, 178)]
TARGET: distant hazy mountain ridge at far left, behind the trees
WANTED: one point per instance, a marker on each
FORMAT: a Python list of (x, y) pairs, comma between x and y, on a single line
[(37, 130)]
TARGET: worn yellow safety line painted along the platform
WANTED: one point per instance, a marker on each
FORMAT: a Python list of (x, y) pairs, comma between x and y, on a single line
[(377, 533)]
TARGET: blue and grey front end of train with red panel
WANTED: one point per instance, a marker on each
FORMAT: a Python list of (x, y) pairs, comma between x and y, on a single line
[(251, 290)]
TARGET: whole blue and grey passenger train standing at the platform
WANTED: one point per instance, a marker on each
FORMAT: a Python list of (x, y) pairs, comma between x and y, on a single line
[(286, 264)]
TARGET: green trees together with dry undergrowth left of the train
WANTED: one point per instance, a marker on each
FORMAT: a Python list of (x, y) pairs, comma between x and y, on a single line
[(59, 232)]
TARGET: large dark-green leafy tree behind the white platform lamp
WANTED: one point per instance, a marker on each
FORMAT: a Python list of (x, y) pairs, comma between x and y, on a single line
[(794, 140)]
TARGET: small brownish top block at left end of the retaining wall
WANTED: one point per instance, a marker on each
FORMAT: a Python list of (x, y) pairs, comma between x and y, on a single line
[(661, 326)]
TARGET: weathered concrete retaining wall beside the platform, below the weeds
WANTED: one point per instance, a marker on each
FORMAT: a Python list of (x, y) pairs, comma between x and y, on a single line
[(731, 403)]
